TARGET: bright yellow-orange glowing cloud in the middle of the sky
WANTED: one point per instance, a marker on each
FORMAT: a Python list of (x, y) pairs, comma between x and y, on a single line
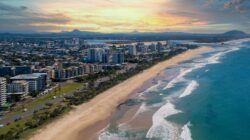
[(118, 16)]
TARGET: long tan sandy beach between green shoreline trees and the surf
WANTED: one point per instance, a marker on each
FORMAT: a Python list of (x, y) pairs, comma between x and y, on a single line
[(100, 108)]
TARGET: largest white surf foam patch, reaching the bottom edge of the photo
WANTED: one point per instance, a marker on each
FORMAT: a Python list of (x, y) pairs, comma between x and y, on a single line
[(162, 128)]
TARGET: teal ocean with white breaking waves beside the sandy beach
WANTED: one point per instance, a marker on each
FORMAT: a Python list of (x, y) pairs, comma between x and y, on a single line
[(205, 98)]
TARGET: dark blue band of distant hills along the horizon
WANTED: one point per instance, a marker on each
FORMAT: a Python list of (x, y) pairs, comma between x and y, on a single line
[(136, 36)]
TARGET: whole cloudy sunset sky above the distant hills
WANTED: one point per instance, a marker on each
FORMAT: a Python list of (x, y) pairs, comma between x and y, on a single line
[(197, 16)]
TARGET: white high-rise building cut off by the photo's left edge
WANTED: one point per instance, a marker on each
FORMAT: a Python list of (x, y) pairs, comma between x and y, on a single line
[(3, 91)]
